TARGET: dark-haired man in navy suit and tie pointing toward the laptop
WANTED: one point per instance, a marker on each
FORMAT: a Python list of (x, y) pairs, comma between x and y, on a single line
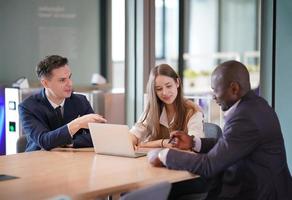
[(56, 116)]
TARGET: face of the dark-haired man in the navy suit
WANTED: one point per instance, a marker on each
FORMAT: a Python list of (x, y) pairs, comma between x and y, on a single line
[(59, 84)]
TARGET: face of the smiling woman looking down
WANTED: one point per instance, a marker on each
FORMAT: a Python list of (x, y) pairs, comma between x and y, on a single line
[(166, 88)]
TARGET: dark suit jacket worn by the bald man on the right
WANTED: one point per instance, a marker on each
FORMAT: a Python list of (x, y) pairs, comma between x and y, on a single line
[(250, 154)]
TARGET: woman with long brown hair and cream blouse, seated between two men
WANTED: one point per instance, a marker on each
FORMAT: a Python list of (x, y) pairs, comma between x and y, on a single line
[(167, 110)]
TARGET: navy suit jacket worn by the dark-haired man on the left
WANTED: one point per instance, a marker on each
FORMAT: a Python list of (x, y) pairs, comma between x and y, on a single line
[(41, 128)]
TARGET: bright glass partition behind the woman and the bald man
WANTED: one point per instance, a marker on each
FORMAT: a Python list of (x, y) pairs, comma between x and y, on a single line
[(214, 31)]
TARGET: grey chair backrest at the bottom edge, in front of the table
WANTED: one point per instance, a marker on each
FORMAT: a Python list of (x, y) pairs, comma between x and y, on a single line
[(158, 191)]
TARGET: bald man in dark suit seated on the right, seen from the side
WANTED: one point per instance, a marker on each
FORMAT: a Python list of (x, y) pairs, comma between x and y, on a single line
[(250, 157)]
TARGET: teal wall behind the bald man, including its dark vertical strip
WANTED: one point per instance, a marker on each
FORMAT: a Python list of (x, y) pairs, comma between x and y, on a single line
[(276, 75)]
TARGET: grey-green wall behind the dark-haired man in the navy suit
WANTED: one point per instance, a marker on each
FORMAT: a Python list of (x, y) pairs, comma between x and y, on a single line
[(32, 29)]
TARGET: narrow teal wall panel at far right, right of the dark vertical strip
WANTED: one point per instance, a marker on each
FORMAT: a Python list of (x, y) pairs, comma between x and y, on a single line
[(283, 72)]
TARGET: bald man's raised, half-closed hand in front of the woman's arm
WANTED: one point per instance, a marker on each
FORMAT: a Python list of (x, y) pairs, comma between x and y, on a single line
[(181, 140)]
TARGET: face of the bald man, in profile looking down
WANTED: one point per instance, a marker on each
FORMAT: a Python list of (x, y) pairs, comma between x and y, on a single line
[(222, 92)]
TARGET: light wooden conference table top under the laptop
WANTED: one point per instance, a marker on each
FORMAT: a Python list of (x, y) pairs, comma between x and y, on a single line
[(78, 174)]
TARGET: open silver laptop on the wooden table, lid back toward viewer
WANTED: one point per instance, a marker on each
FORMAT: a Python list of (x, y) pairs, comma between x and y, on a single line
[(112, 139)]
